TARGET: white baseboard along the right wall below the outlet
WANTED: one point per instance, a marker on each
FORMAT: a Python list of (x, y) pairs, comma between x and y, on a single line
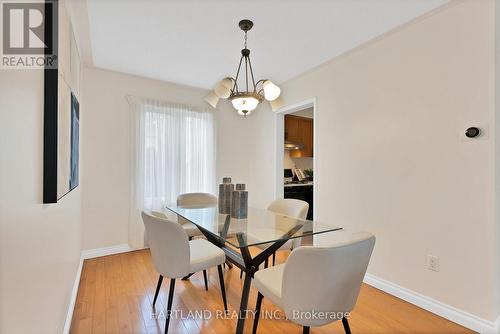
[(446, 311)]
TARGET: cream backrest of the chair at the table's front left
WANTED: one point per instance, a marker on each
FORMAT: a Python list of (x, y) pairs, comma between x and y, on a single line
[(169, 245)]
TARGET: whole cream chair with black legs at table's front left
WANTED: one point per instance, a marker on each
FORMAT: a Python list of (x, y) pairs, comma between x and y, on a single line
[(174, 256)]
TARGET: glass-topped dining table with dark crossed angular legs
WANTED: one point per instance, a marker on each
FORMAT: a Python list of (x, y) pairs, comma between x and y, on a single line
[(235, 236)]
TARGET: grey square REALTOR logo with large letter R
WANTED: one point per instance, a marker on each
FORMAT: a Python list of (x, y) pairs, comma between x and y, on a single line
[(29, 35)]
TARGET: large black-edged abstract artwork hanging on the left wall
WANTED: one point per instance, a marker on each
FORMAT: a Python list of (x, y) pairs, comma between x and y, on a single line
[(61, 141)]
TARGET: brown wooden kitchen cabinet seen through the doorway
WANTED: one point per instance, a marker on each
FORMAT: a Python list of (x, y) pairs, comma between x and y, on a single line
[(300, 130)]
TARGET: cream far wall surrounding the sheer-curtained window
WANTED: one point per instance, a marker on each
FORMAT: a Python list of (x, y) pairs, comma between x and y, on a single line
[(107, 139)]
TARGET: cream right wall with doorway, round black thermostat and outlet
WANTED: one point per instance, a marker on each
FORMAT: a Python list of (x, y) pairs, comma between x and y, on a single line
[(392, 158)]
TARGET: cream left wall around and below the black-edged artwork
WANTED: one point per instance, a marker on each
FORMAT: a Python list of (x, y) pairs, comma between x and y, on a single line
[(39, 244)]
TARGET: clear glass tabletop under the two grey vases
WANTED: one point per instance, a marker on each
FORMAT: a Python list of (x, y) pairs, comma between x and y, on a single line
[(260, 227)]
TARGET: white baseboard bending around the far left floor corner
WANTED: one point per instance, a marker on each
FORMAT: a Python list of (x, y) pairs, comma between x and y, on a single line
[(88, 254)]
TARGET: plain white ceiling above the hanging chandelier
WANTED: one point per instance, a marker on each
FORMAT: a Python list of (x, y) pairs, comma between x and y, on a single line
[(198, 42)]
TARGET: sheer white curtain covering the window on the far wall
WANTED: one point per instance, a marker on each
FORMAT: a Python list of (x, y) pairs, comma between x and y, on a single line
[(174, 154)]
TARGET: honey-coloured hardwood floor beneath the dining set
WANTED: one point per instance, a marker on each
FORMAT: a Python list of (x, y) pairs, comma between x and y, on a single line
[(116, 292)]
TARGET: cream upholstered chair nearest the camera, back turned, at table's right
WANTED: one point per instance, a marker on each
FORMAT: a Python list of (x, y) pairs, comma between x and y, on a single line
[(317, 280)]
